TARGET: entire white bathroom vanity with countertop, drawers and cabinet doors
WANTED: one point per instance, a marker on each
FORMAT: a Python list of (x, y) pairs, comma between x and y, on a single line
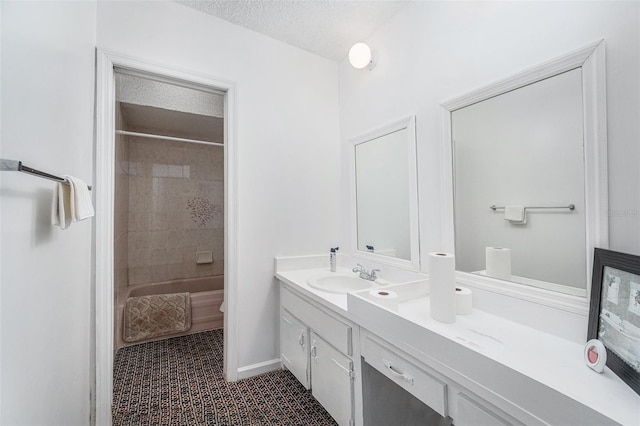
[(482, 369)]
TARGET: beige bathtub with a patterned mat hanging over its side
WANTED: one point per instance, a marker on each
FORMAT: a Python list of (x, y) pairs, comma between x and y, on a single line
[(207, 294)]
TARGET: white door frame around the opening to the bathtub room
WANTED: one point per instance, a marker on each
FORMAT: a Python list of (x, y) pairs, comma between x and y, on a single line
[(104, 220)]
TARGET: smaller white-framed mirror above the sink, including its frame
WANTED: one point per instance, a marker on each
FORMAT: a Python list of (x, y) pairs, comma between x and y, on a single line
[(385, 196)]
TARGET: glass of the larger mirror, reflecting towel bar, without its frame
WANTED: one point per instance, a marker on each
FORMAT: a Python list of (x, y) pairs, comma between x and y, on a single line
[(520, 150)]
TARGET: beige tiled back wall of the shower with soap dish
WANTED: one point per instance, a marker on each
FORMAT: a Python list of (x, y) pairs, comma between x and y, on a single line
[(176, 209)]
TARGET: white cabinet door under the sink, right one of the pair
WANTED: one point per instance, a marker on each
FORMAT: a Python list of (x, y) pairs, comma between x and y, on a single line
[(331, 380)]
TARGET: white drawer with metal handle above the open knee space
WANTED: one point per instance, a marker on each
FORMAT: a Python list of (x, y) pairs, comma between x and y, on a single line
[(413, 379)]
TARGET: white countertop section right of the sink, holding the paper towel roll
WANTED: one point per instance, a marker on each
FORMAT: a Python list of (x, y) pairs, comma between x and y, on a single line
[(550, 360)]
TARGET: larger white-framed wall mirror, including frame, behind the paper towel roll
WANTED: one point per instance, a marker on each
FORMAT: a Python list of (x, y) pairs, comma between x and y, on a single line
[(528, 175)]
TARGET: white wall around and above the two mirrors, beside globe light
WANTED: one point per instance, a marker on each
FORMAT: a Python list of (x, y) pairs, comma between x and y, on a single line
[(433, 51)]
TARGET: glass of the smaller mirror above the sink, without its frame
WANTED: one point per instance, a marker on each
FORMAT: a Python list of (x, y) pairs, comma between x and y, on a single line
[(382, 195)]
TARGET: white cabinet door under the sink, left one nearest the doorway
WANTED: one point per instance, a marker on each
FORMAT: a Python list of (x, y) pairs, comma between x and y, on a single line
[(294, 344)]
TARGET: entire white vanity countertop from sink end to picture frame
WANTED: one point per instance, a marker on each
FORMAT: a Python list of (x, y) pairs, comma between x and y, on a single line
[(555, 362)]
